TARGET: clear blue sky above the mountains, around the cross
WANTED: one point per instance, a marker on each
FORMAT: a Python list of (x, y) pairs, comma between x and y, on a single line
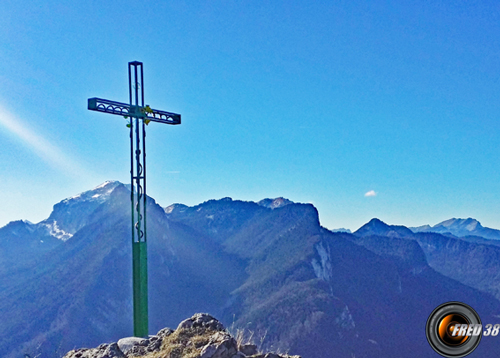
[(320, 102)]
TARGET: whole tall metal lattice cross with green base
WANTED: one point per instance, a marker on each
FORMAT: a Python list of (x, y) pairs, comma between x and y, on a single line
[(140, 115)]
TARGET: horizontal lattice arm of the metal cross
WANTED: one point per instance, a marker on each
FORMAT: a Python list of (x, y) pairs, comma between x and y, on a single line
[(124, 109)]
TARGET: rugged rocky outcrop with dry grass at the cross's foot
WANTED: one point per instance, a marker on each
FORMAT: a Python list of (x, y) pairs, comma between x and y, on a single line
[(200, 336)]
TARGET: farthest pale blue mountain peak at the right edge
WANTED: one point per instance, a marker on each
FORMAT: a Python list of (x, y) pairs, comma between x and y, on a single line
[(460, 228)]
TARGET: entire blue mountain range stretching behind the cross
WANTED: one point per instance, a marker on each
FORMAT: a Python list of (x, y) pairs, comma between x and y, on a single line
[(267, 269)]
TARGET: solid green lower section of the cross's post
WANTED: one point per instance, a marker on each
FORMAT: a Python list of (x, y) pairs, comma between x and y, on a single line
[(140, 282)]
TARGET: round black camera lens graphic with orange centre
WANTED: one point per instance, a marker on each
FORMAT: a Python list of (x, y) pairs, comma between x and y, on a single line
[(441, 325)]
